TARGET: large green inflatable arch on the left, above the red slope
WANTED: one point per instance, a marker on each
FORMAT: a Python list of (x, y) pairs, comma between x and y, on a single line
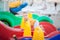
[(10, 19)]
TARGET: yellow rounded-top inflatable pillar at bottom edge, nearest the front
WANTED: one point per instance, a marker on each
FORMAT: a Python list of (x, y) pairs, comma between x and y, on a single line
[(38, 34)]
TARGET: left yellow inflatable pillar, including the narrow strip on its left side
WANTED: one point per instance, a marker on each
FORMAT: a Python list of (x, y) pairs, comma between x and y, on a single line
[(27, 28)]
